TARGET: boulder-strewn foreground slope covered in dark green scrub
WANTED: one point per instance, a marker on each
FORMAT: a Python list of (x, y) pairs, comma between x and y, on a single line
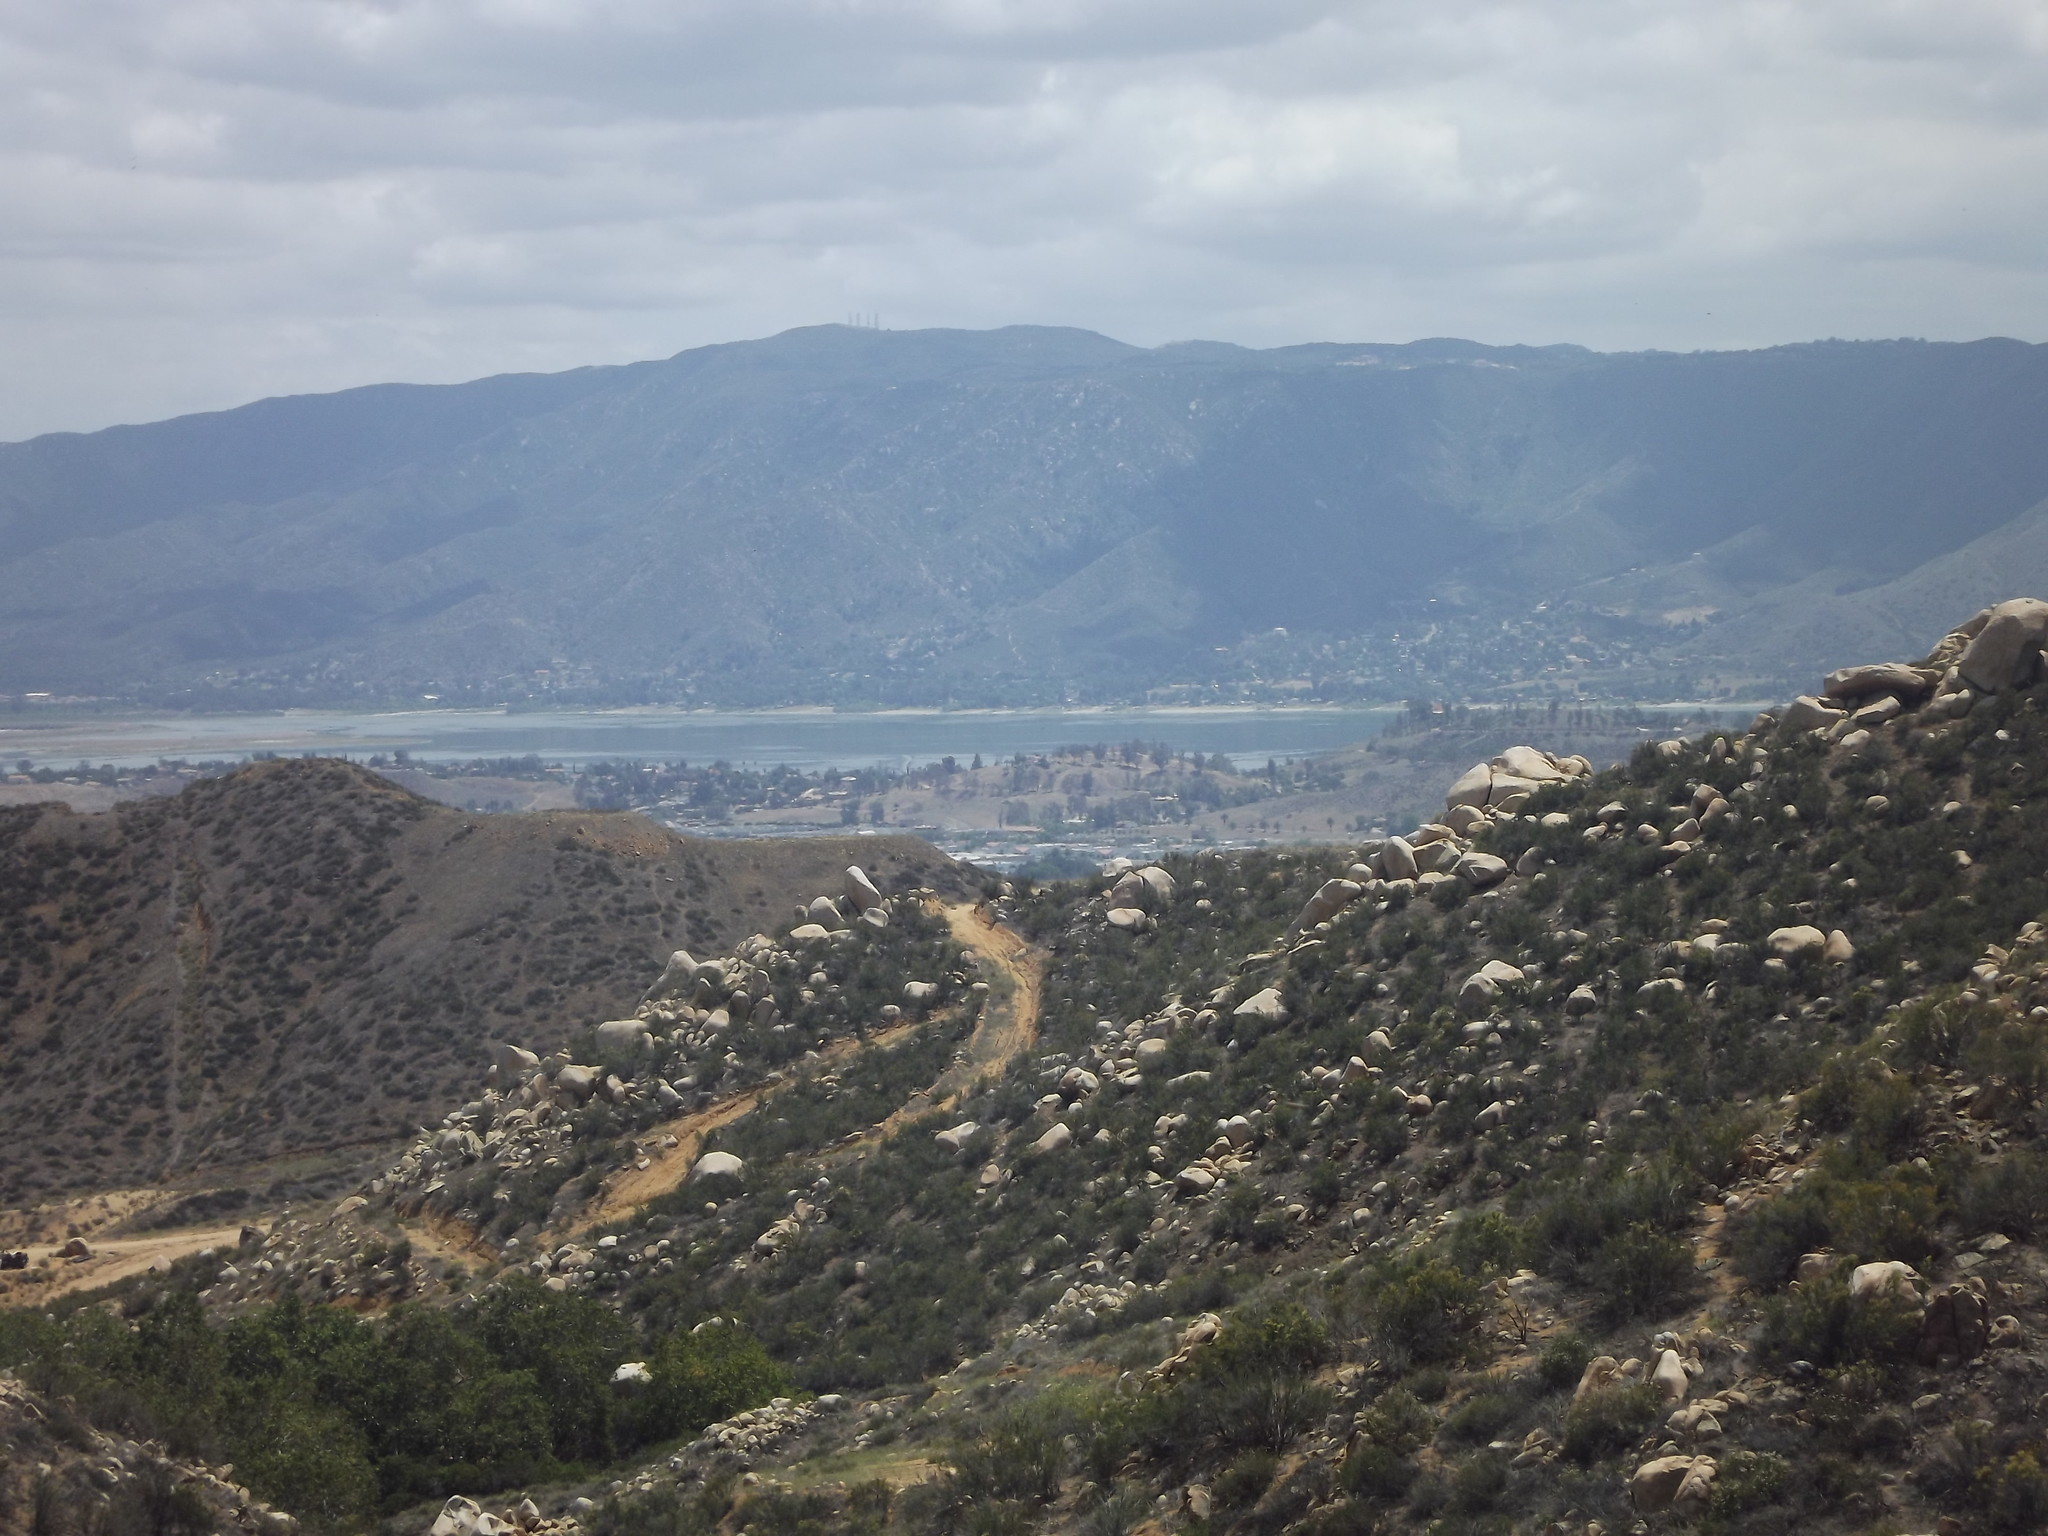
[(1658, 1144)]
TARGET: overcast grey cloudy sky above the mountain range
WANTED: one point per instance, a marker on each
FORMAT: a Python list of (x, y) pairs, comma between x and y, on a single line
[(206, 202)]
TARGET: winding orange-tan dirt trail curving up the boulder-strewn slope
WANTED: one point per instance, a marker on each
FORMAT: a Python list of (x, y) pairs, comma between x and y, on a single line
[(1009, 1027)]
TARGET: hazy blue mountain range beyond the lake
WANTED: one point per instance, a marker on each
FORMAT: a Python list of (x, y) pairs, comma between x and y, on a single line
[(1037, 515)]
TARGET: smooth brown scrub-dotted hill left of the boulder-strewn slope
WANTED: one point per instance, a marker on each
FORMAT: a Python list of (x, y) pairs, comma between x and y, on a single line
[(304, 955)]
